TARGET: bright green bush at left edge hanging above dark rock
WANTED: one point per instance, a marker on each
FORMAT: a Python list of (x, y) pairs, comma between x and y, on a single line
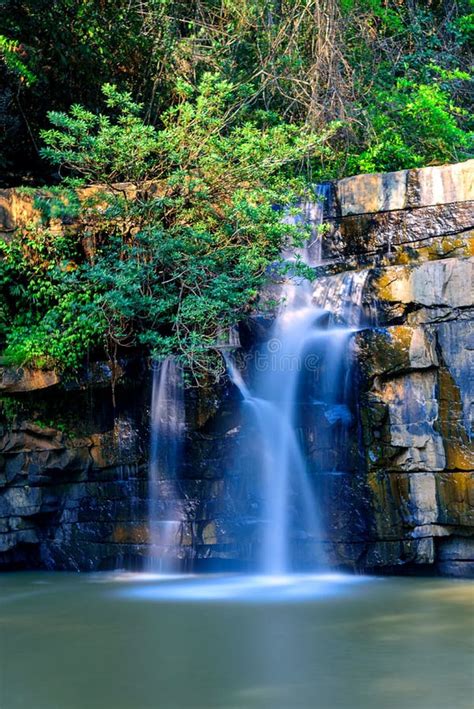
[(46, 322)]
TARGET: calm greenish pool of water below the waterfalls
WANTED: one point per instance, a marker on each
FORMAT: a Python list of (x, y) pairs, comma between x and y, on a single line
[(132, 641)]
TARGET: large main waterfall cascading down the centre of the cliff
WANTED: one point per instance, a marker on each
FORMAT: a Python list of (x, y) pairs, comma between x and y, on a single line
[(302, 367)]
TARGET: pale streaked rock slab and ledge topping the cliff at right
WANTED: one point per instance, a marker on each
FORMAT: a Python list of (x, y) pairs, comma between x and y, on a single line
[(413, 215)]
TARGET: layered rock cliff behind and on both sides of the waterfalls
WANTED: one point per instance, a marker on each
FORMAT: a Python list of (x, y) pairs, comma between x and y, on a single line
[(73, 462)]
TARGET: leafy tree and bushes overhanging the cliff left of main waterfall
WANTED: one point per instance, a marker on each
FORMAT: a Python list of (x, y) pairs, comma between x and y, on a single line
[(176, 260)]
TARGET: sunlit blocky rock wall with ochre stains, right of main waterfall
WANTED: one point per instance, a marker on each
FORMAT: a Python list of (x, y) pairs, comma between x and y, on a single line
[(417, 400)]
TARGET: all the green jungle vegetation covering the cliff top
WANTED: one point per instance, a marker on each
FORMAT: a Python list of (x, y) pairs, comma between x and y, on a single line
[(196, 119)]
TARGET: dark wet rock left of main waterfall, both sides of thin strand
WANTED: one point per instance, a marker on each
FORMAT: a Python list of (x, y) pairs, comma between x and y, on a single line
[(74, 491)]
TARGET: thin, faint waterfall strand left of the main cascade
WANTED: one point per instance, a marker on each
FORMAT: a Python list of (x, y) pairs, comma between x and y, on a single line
[(166, 441)]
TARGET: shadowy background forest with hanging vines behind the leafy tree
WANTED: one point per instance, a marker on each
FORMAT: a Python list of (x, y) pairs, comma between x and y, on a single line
[(308, 61)]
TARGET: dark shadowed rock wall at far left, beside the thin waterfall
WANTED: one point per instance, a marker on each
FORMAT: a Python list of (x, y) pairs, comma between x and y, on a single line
[(68, 463)]
